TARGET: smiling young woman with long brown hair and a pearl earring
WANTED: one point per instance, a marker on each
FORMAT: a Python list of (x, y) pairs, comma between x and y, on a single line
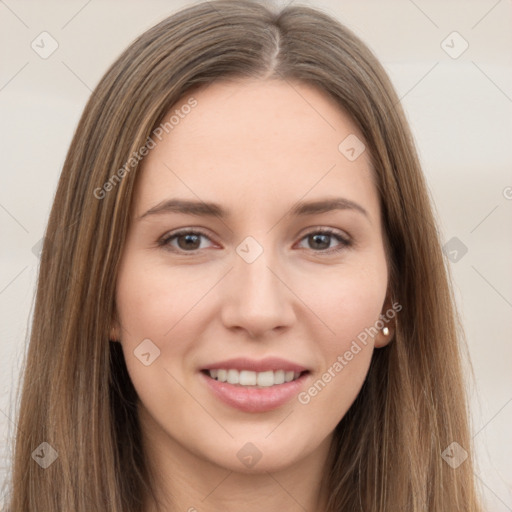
[(255, 370)]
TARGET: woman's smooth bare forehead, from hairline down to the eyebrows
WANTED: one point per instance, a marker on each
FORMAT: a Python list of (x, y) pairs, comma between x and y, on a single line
[(255, 143)]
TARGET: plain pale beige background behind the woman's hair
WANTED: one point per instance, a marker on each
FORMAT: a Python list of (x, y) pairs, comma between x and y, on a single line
[(459, 108)]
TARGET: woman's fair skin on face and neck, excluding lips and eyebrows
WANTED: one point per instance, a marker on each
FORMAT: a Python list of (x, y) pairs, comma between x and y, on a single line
[(256, 148)]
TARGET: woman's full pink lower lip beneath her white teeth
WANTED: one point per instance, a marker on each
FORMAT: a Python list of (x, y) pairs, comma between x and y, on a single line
[(255, 399)]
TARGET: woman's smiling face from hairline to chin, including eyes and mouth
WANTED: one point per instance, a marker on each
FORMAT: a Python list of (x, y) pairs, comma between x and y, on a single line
[(271, 290)]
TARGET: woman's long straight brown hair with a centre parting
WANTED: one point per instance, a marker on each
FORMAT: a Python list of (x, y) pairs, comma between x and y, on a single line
[(76, 393)]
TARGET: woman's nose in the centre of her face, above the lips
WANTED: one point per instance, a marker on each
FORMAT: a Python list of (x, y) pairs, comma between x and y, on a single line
[(257, 297)]
